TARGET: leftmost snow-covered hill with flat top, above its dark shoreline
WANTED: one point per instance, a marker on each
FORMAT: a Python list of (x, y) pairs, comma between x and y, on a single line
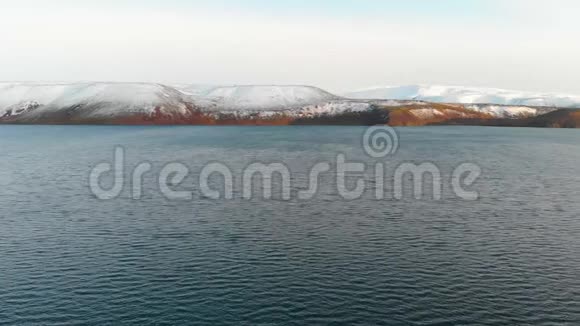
[(95, 100)]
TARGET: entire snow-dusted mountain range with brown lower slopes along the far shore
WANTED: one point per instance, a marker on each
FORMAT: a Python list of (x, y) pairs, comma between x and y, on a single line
[(157, 104)]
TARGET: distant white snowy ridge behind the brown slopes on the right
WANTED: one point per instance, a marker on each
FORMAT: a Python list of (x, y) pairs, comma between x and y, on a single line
[(466, 95)]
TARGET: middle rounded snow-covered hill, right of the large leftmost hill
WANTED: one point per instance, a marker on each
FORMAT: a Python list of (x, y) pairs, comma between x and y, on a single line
[(257, 97)]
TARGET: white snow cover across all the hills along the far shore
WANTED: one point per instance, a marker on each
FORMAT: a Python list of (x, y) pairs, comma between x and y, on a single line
[(98, 99)]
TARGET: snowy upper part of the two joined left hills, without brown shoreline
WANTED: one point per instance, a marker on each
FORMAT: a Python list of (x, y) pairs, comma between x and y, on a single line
[(112, 100)]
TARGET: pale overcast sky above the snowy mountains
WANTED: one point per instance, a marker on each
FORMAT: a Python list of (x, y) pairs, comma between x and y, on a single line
[(339, 45)]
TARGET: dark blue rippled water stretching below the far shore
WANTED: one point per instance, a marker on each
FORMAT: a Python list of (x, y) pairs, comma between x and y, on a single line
[(510, 258)]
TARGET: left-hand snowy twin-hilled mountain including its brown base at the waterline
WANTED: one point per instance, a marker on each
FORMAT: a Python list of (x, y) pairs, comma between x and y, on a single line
[(149, 103)]
